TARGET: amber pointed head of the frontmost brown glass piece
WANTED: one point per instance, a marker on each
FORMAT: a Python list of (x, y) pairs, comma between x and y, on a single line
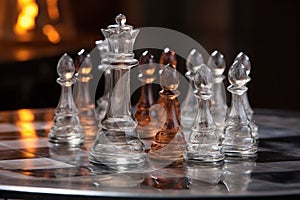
[(169, 79)]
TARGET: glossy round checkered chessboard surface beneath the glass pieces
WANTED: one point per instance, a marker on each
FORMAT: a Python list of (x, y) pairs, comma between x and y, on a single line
[(27, 160)]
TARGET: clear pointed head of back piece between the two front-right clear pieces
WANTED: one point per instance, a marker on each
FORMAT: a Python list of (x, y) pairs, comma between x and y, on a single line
[(217, 63)]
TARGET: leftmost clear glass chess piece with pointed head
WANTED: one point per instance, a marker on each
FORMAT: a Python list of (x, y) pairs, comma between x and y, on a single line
[(66, 129)]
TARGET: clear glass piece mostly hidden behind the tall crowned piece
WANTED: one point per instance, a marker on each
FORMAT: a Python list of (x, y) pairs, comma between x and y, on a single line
[(102, 102)]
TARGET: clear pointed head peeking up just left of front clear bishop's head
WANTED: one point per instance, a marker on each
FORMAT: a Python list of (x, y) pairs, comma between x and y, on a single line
[(194, 61)]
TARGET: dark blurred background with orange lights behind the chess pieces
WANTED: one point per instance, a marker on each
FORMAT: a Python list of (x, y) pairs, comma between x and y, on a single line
[(35, 33)]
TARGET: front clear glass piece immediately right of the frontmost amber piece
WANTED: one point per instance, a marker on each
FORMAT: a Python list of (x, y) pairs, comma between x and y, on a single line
[(203, 146)]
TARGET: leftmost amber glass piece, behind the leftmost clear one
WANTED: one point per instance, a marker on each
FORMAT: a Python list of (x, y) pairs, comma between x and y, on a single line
[(83, 101)]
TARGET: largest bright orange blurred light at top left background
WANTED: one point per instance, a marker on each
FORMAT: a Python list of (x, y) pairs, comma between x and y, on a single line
[(28, 11)]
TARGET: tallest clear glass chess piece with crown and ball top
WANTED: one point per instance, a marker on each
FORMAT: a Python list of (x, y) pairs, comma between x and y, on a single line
[(117, 144)]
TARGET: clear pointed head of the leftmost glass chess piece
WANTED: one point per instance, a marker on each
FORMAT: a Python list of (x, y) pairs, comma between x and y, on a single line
[(65, 67)]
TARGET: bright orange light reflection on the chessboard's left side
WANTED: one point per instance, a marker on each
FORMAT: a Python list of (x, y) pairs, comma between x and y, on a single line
[(26, 117)]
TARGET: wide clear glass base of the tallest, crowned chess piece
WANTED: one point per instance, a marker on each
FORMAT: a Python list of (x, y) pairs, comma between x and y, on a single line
[(118, 150)]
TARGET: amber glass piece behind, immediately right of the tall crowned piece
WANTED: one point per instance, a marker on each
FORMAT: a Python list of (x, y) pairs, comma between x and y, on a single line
[(148, 122)]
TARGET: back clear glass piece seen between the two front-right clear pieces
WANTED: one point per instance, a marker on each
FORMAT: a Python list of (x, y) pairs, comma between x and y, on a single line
[(217, 64)]
